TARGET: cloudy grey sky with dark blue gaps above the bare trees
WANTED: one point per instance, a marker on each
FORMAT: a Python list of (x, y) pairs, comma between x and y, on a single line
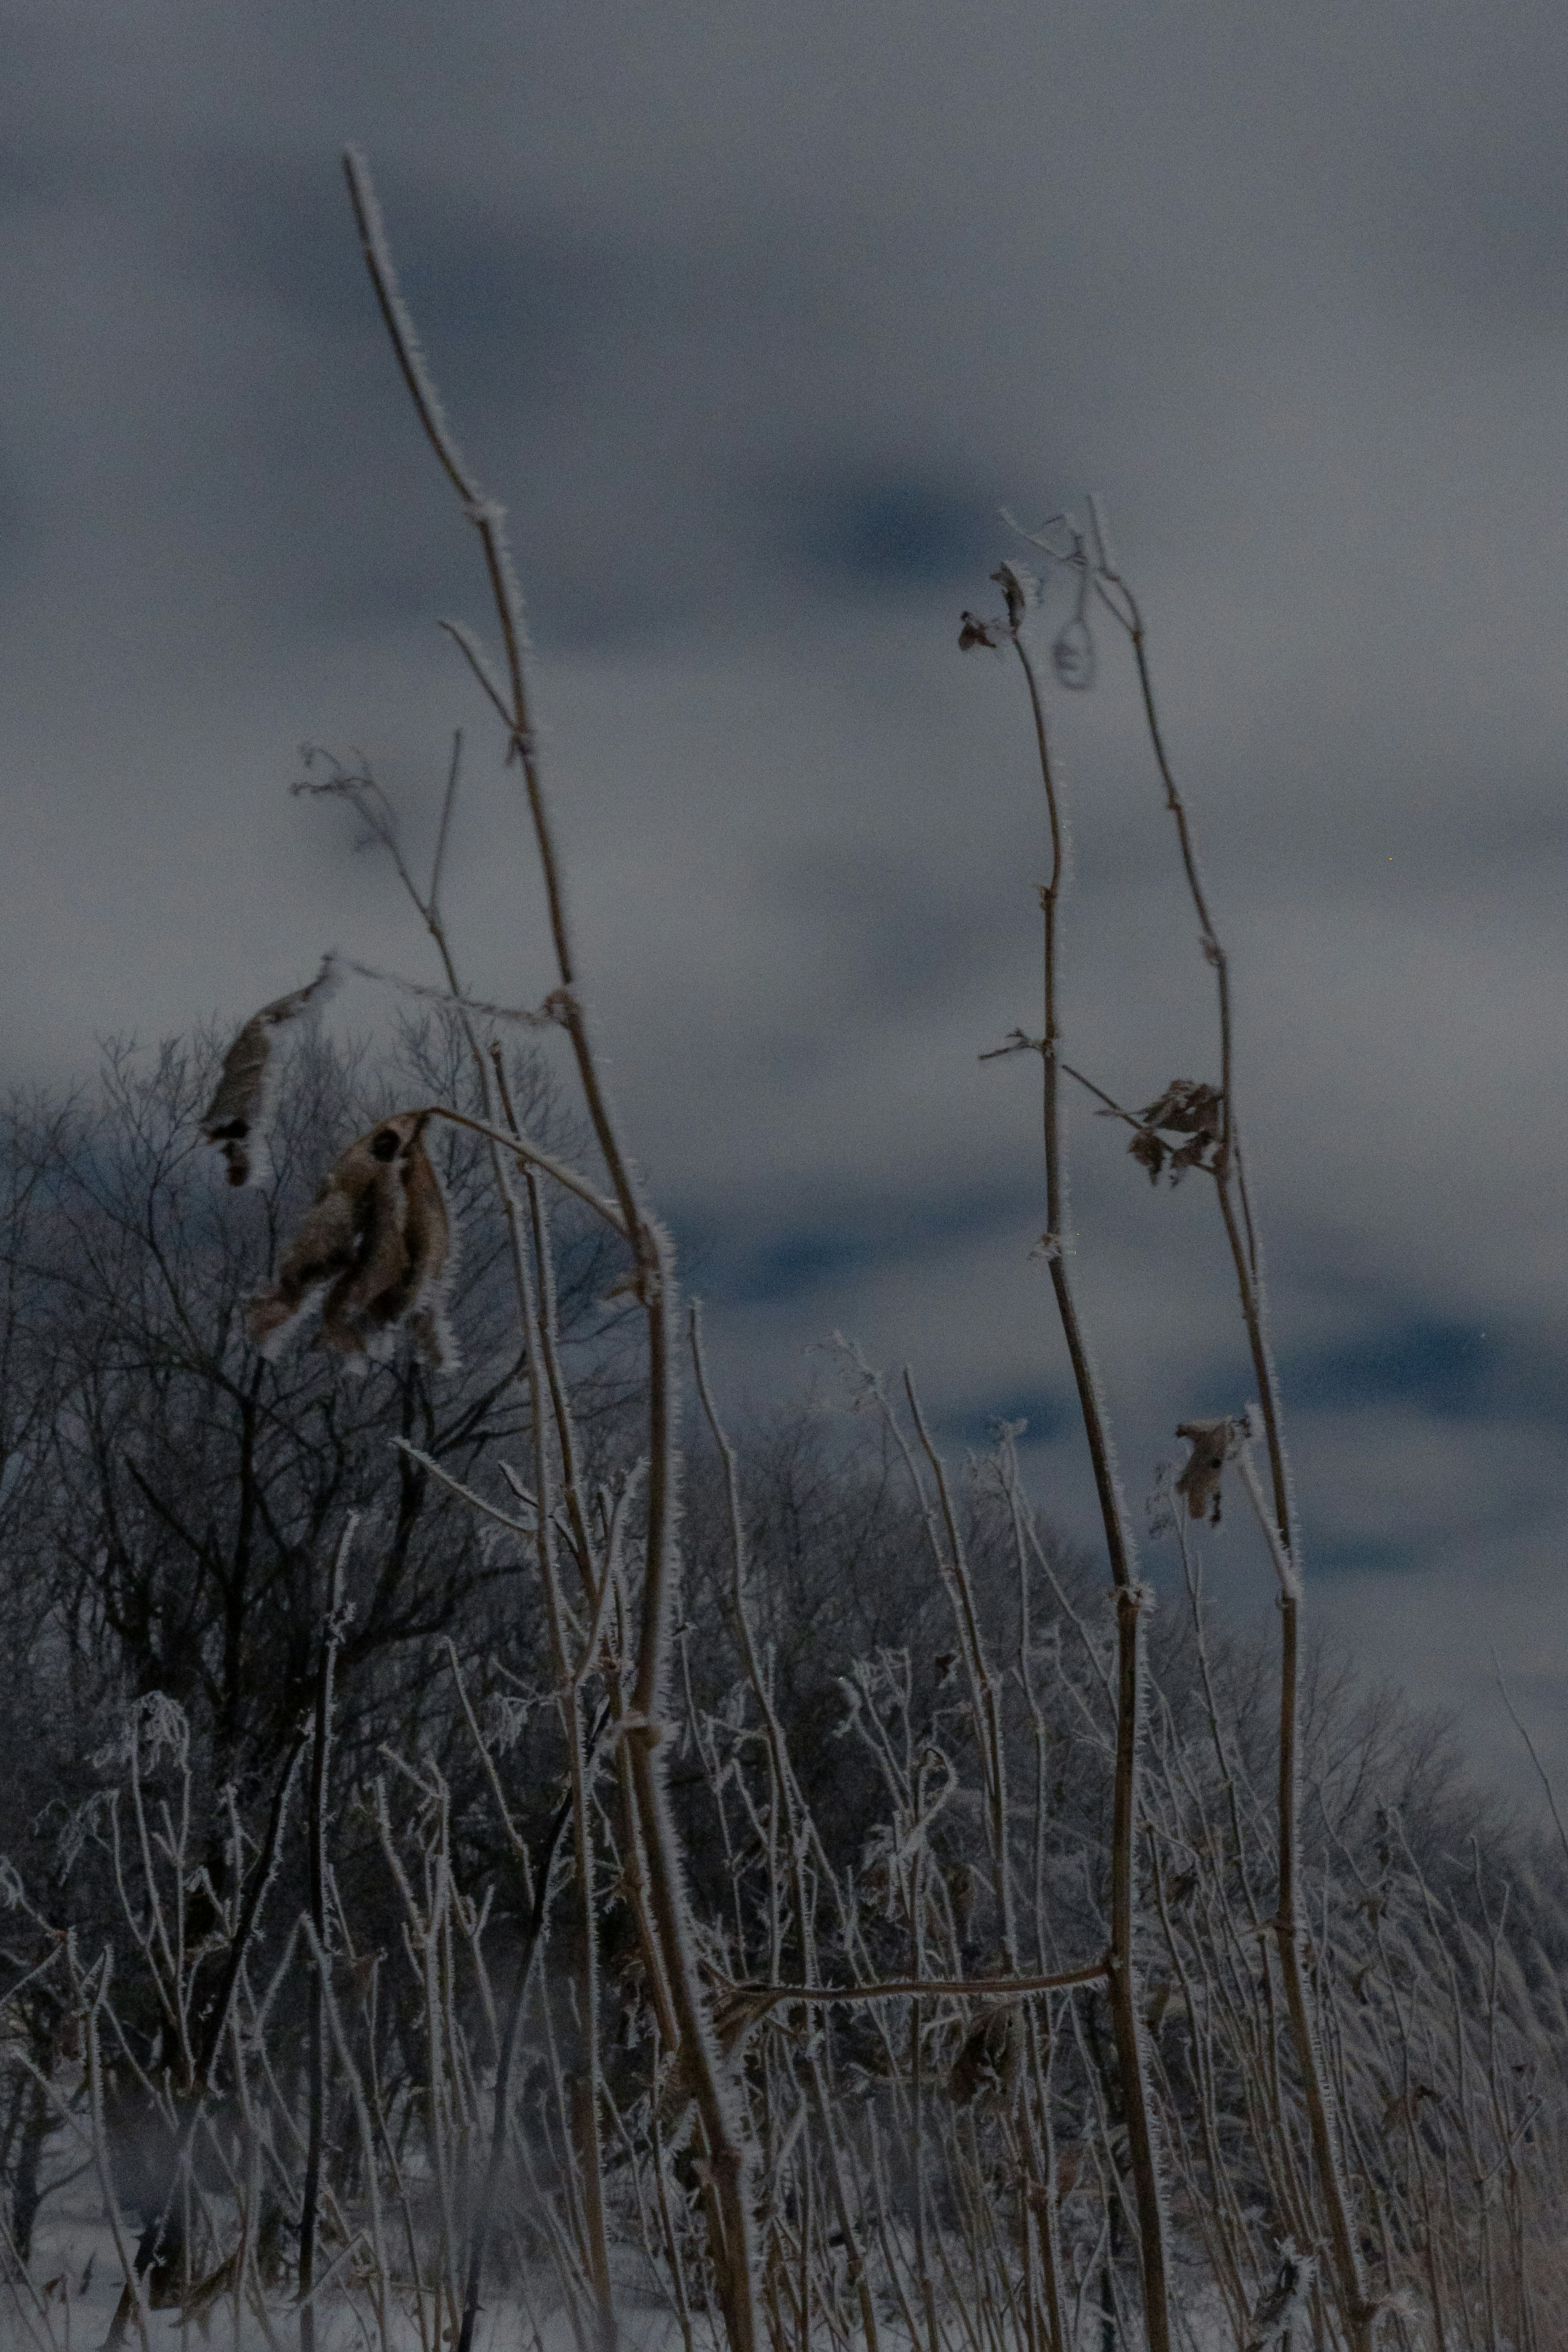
[(753, 319)]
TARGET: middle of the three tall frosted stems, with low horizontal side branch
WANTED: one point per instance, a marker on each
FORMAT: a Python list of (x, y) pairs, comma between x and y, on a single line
[(1127, 2022)]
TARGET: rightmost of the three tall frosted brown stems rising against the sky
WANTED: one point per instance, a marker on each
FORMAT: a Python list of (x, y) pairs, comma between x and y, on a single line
[(1235, 1210)]
